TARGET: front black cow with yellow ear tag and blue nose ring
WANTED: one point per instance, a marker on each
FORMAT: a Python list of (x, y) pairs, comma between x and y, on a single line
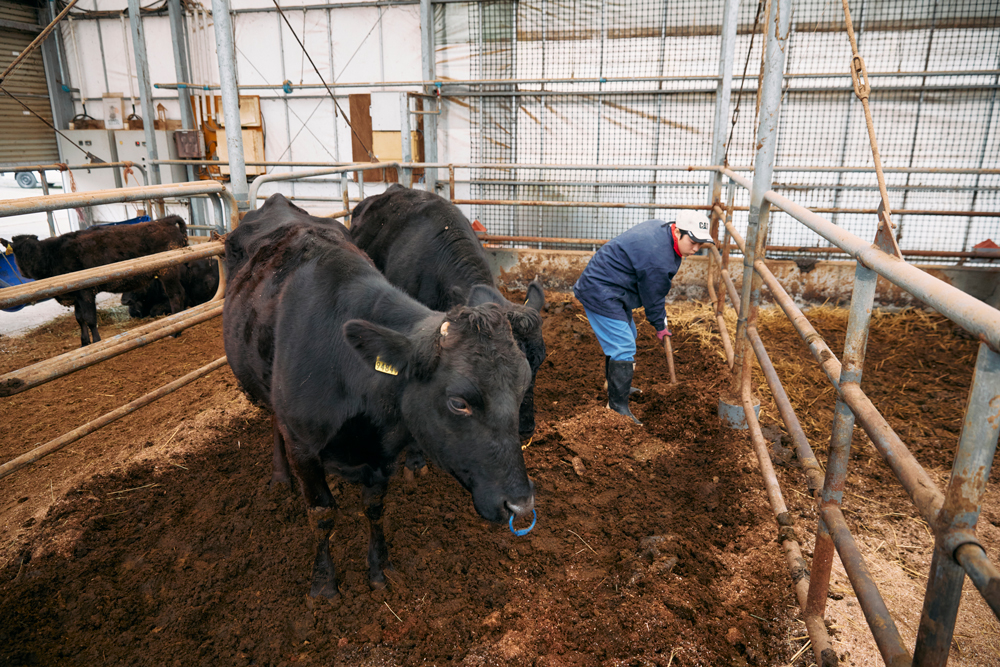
[(353, 370)]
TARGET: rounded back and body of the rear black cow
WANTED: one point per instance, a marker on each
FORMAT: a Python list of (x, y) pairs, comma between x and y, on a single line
[(423, 244)]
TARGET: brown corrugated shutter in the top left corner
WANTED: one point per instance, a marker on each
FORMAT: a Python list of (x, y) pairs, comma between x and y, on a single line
[(24, 139)]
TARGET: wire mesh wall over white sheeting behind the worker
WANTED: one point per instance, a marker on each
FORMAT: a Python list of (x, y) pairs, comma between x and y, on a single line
[(634, 83)]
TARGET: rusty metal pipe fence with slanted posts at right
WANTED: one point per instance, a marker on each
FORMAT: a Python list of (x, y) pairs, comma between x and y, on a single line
[(952, 514)]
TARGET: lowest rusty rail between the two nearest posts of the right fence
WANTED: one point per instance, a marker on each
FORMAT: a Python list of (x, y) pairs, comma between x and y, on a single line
[(883, 628)]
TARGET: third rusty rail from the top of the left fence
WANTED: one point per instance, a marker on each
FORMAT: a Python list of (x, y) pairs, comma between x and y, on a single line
[(28, 377)]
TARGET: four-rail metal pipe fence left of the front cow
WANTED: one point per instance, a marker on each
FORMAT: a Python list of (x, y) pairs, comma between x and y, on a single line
[(32, 376)]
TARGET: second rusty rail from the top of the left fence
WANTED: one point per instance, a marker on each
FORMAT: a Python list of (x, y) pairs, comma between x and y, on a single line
[(71, 282)]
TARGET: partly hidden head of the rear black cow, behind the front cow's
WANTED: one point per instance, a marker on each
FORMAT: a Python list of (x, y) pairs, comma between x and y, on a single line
[(526, 323)]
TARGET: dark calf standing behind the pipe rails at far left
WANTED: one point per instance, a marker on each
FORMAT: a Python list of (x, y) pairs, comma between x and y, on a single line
[(97, 246)]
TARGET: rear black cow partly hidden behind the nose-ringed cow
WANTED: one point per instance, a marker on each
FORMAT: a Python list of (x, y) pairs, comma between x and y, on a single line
[(425, 246)]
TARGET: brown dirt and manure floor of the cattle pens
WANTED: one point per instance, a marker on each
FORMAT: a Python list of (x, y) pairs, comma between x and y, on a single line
[(156, 541)]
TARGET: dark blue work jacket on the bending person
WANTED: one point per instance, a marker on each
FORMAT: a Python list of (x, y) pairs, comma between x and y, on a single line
[(633, 269)]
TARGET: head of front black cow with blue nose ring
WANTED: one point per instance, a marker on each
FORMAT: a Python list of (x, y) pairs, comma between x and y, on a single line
[(463, 380)]
